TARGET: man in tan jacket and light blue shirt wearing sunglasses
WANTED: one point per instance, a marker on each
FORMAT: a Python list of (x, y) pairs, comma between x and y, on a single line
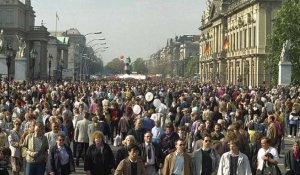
[(178, 162)]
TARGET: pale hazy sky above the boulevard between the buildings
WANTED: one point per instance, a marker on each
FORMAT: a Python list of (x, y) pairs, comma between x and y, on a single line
[(132, 28)]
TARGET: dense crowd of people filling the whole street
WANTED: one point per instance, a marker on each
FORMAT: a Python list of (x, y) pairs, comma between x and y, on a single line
[(168, 127)]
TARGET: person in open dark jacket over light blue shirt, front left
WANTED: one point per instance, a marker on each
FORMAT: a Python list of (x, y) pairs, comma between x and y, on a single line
[(60, 159)]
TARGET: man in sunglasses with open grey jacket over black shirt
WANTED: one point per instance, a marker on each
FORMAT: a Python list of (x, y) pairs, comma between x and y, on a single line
[(206, 159)]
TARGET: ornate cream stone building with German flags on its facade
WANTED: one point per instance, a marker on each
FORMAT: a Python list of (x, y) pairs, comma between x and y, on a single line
[(233, 42)]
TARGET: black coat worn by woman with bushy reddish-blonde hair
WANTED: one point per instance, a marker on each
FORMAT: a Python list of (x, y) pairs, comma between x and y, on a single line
[(99, 163)]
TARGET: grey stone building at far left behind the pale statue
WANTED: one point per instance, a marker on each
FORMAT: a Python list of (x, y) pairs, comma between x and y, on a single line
[(17, 20)]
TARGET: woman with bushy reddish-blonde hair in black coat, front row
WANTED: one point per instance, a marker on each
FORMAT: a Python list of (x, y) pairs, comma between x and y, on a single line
[(99, 159)]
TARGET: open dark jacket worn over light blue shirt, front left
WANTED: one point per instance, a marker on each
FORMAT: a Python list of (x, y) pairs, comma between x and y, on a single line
[(53, 162)]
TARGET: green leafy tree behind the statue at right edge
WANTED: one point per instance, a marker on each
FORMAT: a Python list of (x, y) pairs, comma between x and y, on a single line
[(286, 26)]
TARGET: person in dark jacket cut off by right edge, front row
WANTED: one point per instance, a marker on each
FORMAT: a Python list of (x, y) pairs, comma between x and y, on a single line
[(292, 160)]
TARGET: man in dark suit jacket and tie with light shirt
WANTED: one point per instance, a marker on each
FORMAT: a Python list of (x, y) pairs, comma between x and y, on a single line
[(151, 154)]
